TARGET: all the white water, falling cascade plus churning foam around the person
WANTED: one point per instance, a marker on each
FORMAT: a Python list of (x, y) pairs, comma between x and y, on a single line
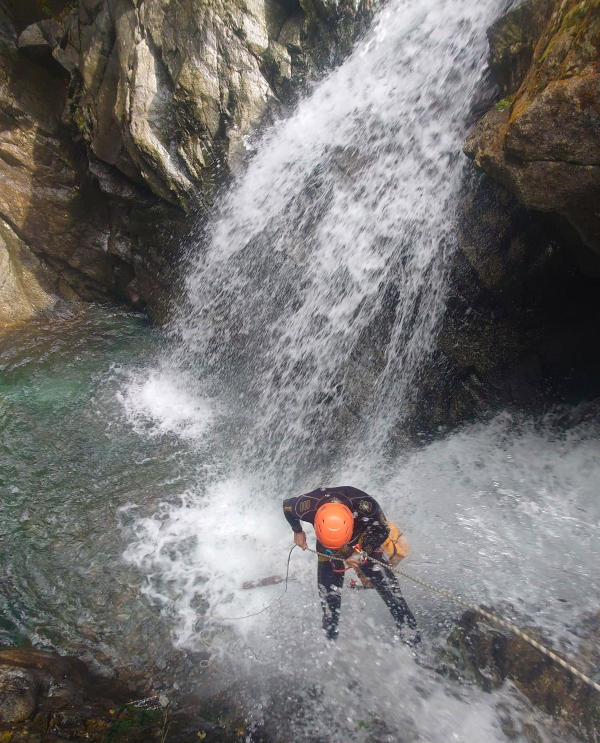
[(309, 313)]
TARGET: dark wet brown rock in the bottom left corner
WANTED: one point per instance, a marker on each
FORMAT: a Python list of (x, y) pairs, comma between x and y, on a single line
[(47, 698)]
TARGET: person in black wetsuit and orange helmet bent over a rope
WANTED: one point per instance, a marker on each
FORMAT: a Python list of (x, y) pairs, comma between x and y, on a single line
[(349, 521)]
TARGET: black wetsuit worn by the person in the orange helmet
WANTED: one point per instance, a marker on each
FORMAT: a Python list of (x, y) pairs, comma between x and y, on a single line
[(370, 531)]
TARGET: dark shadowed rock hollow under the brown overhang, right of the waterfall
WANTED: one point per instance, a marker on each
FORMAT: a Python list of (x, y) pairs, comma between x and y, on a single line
[(520, 316)]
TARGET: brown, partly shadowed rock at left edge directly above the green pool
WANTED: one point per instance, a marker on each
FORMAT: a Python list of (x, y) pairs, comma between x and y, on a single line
[(62, 236)]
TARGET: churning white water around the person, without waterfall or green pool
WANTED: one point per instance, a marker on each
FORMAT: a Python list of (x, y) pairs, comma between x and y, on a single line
[(503, 513)]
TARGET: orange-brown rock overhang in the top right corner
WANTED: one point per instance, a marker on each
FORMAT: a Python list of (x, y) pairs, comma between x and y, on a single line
[(542, 141)]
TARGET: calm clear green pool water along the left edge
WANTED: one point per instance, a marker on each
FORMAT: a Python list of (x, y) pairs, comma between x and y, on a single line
[(69, 461)]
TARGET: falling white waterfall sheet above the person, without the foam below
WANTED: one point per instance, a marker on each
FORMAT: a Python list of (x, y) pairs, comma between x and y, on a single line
[(316, 299)]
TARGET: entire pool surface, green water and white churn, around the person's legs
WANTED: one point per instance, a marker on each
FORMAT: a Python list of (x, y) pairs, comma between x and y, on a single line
[(504, 512)]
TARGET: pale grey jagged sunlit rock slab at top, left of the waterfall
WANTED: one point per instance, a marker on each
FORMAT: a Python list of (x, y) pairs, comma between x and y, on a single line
[(170, 89)]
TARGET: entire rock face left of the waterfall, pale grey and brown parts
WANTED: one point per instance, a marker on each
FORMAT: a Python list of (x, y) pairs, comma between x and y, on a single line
[(117, 117)]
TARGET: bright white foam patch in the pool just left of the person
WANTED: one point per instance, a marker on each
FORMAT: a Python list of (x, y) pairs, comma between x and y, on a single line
[(204, 548)]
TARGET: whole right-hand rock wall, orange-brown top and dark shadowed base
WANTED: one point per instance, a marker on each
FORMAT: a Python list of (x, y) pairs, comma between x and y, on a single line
[(523, 303)]
